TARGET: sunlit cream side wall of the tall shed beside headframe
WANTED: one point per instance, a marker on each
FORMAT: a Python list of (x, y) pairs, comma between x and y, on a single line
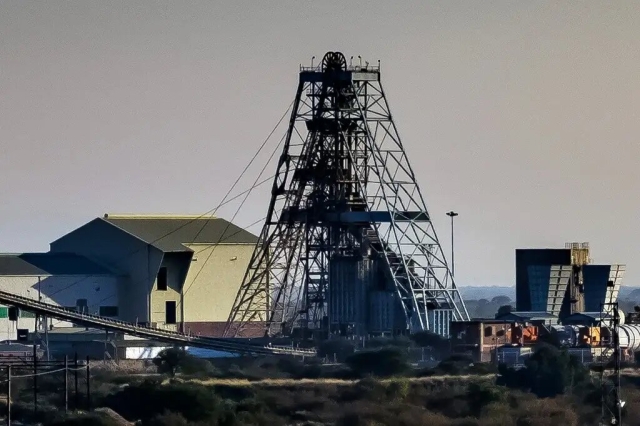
[(210, 296)]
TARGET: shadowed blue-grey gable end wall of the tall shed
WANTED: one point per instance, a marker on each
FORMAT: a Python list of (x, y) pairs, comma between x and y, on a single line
[(106, 244)]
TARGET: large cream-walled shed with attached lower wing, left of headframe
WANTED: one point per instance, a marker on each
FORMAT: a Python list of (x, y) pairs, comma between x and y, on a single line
[(180, 273)]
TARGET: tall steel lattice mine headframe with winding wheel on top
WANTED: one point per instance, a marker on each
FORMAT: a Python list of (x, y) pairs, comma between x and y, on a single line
[(347, 224)]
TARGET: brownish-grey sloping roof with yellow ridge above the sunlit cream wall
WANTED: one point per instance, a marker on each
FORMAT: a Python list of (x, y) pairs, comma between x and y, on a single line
[(170, 233)]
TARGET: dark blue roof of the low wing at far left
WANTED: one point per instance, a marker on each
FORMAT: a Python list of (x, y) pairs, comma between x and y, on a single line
[(31, 264)]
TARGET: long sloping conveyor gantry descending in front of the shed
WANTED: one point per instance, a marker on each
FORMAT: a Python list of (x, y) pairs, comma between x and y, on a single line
[(157, 334)]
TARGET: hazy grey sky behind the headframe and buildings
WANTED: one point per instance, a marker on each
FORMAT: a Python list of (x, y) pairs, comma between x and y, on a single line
[(522, 116)]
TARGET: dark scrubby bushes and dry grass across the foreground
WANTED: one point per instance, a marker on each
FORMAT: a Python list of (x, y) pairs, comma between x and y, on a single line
[(376, 387)]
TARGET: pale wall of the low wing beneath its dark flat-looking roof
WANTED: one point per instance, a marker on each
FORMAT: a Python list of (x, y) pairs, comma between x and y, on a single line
[(62, 290)]
